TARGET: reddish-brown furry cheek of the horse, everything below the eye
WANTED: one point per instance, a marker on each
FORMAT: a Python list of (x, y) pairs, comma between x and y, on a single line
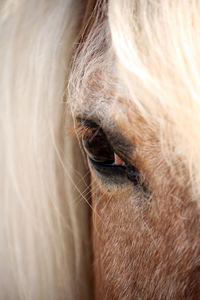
[(140, 249)]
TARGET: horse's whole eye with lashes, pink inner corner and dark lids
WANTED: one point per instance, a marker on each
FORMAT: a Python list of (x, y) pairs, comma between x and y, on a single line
[(101, 154)]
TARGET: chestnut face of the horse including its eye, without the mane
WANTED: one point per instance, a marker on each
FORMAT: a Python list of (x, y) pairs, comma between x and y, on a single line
[(145, 219)]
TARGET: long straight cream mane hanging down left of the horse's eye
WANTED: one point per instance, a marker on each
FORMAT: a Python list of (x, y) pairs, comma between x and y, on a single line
[(44, 243)]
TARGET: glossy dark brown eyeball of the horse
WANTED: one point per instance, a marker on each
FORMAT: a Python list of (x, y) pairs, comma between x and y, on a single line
[(98, 147)]
